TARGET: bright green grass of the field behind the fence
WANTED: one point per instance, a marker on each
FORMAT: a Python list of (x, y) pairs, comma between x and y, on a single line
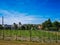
[(34, 33)]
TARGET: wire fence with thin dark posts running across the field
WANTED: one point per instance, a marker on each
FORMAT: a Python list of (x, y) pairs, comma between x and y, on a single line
[(30, 35)]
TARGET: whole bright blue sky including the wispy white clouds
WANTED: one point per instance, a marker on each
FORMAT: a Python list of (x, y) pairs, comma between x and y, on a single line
[(29, 11)]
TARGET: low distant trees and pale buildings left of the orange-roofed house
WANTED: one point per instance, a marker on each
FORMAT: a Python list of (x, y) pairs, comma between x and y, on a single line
[(20, 26)]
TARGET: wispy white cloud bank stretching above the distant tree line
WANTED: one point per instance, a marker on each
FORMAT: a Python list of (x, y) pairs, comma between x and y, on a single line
[(14, 16)]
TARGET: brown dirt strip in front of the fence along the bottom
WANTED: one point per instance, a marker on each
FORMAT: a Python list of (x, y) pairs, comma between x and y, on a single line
[(25, 43)]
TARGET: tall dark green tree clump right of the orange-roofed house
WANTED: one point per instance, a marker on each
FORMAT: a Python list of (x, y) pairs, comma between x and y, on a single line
[(51, 26)]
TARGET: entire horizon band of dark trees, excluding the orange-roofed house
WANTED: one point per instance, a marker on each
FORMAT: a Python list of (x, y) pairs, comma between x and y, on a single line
[(47, 25)]
